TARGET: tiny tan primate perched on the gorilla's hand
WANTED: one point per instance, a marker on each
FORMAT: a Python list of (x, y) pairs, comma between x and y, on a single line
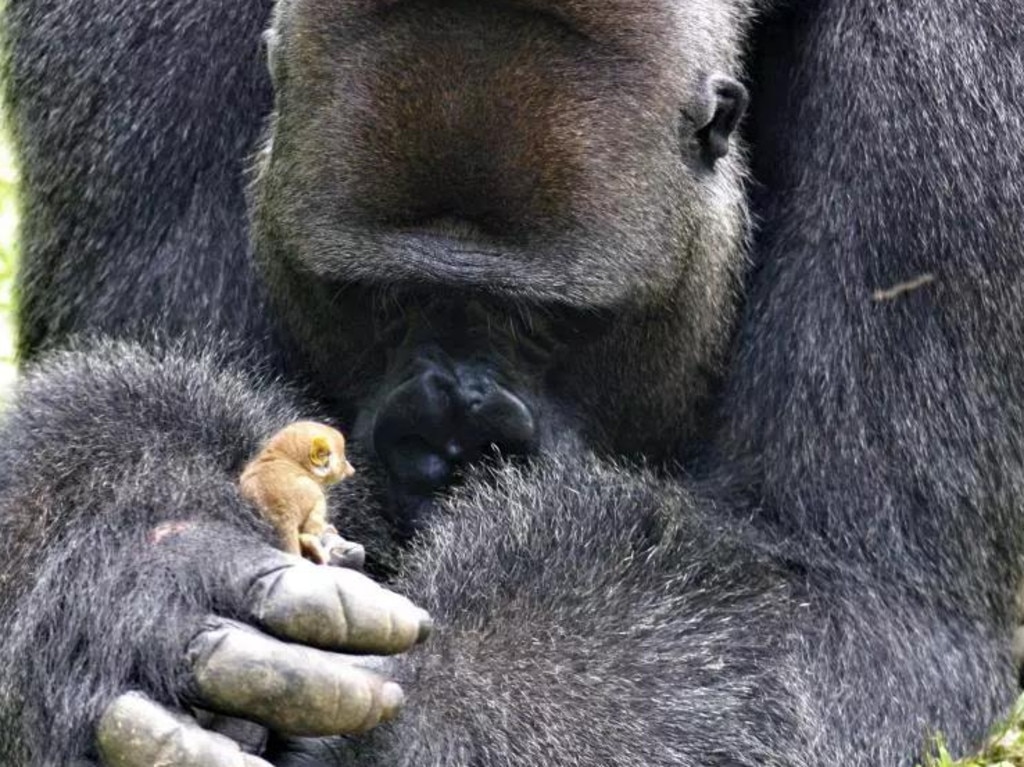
[(287, 483)]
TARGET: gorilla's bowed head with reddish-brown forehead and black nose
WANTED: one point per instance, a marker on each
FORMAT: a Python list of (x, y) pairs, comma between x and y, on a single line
[(562, 166)]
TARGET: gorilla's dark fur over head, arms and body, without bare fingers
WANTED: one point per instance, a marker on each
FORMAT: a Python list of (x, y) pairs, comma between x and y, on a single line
[(831, 581)]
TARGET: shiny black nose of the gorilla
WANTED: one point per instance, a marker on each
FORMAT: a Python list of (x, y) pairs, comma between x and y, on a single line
[(444, 416)]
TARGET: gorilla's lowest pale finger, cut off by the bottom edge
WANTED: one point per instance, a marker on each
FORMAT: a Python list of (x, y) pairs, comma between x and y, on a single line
[(135, 732)]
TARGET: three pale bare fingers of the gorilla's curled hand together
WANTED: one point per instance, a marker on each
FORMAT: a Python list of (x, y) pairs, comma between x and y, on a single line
[(281, 671)]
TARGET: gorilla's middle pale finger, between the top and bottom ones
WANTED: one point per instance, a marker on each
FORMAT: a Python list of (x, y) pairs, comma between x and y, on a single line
[(293, 691)]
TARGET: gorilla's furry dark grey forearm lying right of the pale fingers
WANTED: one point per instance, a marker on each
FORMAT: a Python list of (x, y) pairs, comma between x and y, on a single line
[(621, 622)]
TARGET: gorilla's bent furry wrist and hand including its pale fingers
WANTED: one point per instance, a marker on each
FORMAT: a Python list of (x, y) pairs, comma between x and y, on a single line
[(134, 565)]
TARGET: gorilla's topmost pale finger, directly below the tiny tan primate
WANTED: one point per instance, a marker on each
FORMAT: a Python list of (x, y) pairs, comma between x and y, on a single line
[(336, 610)]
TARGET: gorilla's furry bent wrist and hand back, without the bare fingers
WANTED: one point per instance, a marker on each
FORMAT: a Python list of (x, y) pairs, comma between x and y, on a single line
[(102, 447)]
